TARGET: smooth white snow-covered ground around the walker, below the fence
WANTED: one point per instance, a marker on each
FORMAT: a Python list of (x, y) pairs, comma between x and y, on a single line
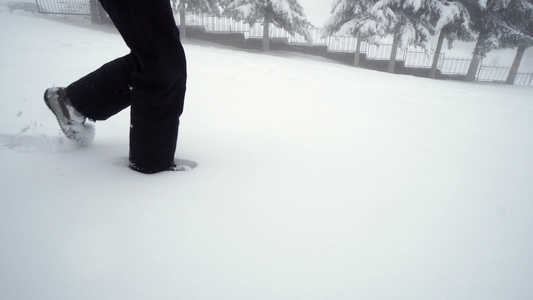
[(315, 181)]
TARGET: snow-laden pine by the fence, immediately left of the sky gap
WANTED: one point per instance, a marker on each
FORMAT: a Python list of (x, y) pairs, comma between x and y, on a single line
[(286, 14)]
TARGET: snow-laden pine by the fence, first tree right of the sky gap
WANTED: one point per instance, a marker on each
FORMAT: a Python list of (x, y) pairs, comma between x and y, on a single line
[(352, 17)]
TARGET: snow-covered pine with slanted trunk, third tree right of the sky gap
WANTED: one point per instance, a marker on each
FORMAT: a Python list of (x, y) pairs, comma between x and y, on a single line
[(454, 21)]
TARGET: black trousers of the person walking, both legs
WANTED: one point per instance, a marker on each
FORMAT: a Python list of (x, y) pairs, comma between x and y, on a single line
[(151, 79)]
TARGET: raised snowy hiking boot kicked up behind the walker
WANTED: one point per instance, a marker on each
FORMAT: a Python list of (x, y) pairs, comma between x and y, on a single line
[(71, 121)]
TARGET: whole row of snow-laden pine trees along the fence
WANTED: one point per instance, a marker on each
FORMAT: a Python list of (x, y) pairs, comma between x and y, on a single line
[(491, 24)]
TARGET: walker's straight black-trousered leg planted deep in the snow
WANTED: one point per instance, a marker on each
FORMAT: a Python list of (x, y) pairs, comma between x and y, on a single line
[(158, 80)]
